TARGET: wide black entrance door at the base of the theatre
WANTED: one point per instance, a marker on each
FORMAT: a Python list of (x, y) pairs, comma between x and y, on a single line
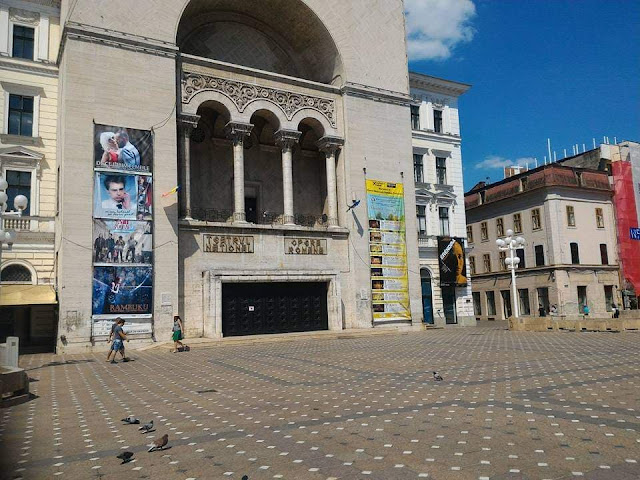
[(277, 307)]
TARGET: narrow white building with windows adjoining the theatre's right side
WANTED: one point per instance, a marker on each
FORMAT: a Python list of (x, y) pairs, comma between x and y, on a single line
[(437, 168)]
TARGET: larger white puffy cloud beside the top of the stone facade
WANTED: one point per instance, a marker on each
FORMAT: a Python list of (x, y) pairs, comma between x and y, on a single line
[(435, 27)]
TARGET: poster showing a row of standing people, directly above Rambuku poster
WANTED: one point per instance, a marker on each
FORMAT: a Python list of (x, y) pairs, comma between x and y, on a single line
[(122, 241)]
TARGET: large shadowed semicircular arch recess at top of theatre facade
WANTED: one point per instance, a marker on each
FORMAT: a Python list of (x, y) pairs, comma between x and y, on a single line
[(280, 36)]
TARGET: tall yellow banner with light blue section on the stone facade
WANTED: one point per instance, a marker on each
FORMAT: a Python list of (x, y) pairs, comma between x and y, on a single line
[(388, 251)]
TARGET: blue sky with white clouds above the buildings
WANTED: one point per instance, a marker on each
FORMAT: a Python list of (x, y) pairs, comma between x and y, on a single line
[(567, 70)]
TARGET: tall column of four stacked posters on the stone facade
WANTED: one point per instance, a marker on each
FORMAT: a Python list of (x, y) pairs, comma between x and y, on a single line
[(122, 229)]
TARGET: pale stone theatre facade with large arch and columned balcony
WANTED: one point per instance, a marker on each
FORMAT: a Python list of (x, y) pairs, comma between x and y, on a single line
[(271, 120)]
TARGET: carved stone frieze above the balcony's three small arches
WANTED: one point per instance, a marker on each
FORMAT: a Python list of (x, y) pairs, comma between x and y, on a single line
[(242, 94)]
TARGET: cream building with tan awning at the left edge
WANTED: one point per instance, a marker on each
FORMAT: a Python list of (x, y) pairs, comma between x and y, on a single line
[(29, 39)]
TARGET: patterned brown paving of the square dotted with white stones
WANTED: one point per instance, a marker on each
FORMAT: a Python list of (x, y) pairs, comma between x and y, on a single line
[(511, 406)]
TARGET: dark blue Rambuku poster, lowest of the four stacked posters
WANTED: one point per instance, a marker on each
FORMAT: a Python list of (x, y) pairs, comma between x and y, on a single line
[(122, 290)]
